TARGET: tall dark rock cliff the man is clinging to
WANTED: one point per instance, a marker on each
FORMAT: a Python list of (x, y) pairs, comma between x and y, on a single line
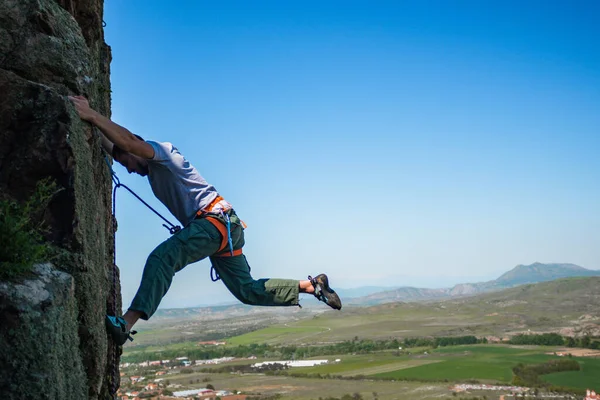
[(50, 49)]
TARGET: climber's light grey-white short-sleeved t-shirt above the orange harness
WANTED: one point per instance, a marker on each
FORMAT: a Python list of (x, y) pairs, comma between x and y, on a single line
[(177, 183)]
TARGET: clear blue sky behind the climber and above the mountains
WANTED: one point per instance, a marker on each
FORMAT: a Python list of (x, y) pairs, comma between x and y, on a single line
[(385, 143)]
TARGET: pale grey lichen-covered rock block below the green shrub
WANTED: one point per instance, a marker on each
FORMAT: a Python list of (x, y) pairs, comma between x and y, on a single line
[(41, 315)]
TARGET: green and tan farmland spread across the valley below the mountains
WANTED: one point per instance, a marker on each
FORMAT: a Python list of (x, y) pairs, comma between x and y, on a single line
[(357, 364)]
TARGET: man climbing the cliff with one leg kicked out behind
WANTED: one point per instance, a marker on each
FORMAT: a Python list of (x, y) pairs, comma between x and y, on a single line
[(211, 229)]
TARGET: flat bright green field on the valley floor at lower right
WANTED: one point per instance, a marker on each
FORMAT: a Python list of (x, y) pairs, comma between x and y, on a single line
[(483, 363)]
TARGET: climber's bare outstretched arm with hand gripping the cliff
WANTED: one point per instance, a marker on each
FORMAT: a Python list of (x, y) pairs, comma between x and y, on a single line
[(114, 133)]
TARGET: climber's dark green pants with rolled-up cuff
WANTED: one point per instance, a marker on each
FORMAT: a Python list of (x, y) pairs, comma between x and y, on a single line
[(198, 240)]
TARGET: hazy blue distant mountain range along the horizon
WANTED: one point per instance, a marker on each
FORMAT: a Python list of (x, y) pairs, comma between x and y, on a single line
[(519, 275)]
